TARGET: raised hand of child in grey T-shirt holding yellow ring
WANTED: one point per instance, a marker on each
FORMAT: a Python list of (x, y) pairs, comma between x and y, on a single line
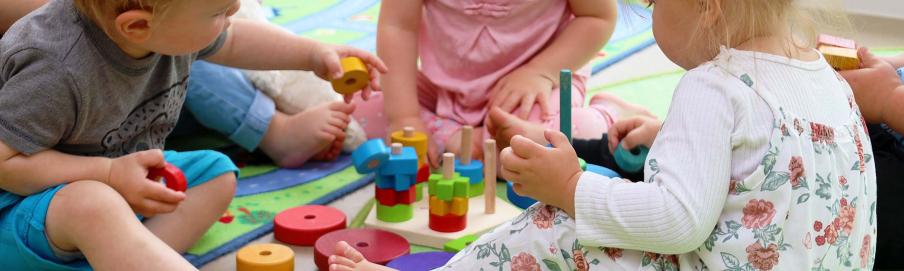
[(327, 66)]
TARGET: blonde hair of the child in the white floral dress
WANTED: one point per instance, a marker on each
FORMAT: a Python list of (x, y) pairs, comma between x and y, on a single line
[(798, 20)]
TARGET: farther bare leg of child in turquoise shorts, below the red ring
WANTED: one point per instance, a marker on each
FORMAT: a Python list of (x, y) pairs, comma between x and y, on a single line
[(202, 207)]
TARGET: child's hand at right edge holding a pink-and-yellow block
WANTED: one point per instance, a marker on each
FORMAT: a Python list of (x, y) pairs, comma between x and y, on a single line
[(872, 84)]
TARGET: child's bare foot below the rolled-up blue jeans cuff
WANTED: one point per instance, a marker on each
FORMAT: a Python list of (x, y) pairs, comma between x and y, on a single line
[(292, 140)]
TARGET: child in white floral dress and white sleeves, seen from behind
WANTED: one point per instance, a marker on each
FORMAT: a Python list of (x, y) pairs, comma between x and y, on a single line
[(763, 163)]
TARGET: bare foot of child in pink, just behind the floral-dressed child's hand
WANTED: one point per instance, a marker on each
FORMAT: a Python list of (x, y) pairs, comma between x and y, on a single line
[(503, 126)]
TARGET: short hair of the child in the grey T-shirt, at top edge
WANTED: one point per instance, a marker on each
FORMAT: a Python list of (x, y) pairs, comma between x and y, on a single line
[(103, 12)]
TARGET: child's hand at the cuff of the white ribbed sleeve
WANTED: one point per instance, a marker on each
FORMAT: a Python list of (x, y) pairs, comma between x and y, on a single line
[(549, 175)]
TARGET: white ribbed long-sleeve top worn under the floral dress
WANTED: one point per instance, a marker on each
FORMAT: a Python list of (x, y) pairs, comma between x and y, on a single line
[(717, 130)]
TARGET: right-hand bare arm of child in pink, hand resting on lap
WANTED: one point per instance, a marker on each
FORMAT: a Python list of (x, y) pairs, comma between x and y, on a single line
[(571, 49)]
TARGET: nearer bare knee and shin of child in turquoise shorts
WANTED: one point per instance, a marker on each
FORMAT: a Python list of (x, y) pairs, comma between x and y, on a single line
[(93, 218)]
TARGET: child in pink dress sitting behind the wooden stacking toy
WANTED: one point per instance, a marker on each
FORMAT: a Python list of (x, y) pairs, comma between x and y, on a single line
[(475, 55)]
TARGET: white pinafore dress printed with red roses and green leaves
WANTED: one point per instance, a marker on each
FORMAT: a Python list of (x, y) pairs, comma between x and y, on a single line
[(810, 205)]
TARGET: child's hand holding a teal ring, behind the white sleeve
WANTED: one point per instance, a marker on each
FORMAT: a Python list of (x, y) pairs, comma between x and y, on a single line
[(633, 132)]
